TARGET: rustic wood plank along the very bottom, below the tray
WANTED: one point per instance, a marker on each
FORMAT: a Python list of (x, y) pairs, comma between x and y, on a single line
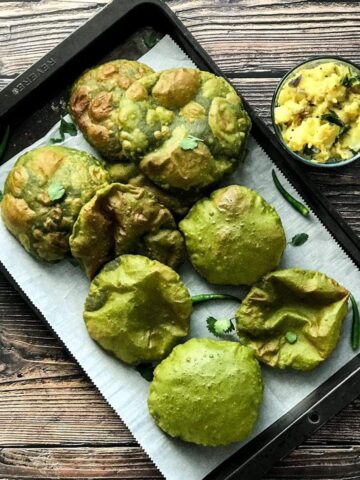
[(130, 463)]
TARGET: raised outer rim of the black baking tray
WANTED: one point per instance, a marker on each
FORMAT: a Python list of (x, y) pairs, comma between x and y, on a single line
[(342, 387)]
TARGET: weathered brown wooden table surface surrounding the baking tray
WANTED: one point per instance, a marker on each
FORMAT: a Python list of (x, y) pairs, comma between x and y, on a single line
[(53, 422)]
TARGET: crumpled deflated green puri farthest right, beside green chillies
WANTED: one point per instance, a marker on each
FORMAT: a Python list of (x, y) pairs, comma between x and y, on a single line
[(293, 318)]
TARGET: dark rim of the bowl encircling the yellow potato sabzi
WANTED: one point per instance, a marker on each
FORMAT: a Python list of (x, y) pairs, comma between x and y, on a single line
[(313, 62)]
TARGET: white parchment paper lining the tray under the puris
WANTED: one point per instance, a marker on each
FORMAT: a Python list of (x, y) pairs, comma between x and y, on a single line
[(59, 292)]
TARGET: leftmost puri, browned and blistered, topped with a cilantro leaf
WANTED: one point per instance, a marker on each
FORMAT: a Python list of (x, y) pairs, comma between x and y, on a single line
[(43, 225)]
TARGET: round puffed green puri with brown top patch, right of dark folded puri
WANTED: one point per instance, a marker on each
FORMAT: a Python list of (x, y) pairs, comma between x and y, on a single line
[(234, 237)]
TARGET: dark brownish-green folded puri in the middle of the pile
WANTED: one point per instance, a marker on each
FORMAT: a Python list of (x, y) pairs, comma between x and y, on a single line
[(123, 219)]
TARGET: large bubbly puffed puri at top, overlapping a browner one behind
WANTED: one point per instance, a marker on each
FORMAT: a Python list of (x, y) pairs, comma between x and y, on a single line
[(159, 111)]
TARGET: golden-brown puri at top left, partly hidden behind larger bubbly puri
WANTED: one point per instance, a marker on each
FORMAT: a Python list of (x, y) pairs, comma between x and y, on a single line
[(94, 100)]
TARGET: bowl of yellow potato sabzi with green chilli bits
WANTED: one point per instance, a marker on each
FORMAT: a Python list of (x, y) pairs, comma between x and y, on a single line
[(316, 112)]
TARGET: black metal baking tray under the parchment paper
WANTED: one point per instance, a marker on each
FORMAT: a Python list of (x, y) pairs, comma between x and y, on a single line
[(29, 104)]
